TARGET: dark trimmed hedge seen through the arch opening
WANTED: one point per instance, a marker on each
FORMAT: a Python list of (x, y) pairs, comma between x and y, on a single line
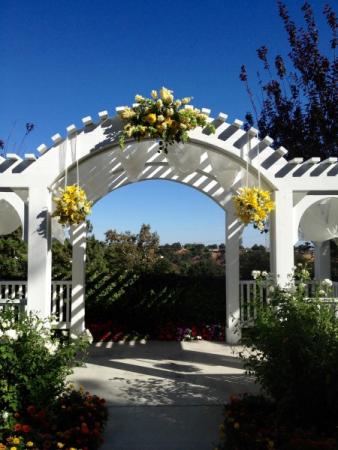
[(146, 301)]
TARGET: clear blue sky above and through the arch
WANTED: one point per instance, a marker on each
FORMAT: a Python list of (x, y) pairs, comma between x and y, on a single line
[(65, 59)]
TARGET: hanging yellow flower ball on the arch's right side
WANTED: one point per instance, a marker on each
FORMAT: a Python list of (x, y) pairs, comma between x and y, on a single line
[(253, 205)]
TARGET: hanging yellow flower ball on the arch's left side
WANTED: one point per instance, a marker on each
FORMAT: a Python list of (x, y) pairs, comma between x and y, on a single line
[(72, 206)]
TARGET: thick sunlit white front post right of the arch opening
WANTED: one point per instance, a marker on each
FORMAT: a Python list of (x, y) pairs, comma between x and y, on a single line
[(281, 237)]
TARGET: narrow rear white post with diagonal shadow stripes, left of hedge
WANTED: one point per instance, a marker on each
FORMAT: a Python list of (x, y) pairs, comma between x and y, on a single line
[(78, 239)]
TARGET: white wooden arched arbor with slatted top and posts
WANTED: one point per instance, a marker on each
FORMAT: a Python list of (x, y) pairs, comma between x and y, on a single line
[(305, 192)]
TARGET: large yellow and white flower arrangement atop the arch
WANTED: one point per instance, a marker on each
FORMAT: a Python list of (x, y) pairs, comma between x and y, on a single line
[(161, 117)]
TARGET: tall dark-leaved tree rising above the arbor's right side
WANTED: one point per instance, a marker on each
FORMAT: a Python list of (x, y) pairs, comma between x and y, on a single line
[(299, 106)]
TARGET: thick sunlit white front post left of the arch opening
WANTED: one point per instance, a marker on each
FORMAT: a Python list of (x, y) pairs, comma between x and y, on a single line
[(39, 252)]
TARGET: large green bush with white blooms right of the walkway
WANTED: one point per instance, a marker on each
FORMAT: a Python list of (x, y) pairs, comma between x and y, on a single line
[(294, 353)]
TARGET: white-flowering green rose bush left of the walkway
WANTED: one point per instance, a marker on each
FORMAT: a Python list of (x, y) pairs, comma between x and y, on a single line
[(33, 362)]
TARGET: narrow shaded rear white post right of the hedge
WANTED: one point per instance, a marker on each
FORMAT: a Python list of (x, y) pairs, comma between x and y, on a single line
[(234, 230)]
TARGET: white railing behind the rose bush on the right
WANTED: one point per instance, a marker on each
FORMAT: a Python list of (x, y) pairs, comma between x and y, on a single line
[(250, 294)]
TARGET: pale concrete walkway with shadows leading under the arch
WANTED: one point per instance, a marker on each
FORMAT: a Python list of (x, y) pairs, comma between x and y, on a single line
[(163, 395)]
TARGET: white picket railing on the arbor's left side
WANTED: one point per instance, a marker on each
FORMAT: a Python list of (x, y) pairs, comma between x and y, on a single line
[(14, 294)]
